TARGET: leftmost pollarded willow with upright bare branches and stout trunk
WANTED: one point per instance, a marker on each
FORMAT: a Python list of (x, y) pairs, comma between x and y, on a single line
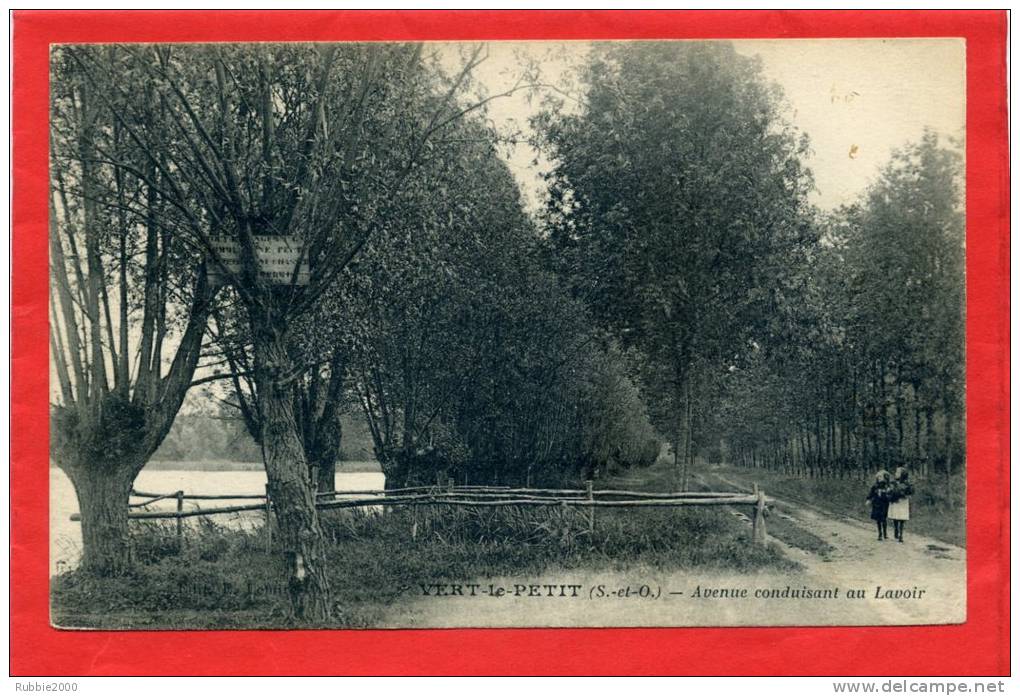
[(129, 304)]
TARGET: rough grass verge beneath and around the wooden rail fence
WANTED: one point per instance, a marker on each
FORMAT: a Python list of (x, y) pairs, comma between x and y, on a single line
[(226, 578)]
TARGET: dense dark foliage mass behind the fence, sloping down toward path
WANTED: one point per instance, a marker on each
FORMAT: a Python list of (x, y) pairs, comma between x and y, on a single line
[(469, 358)]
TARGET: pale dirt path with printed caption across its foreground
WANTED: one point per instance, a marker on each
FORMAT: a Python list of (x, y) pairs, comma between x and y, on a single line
[(930, 576)]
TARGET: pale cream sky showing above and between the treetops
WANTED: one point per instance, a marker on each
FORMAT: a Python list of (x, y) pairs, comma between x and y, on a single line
[(857, 100)]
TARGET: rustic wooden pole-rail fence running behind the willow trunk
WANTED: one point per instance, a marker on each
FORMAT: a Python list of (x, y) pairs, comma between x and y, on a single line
[(465, 496)]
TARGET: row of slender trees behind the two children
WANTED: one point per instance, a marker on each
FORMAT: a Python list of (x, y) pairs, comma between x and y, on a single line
[(871, 370)]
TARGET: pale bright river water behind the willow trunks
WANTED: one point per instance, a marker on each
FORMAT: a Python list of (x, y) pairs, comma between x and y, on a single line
[(66, 536)]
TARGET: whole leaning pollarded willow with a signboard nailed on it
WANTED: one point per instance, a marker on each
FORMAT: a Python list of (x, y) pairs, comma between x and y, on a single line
[(309, 144)]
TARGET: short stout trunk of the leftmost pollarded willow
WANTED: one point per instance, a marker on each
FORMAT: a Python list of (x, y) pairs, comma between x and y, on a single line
[(103, 499)]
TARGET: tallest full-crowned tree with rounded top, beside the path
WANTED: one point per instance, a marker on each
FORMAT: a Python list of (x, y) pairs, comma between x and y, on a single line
[(678, 197)]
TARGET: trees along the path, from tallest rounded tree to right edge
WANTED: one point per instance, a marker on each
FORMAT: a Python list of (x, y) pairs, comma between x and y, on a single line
[(774, 334)]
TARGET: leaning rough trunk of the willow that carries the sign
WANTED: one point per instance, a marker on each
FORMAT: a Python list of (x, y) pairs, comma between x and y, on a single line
[(290, 488)]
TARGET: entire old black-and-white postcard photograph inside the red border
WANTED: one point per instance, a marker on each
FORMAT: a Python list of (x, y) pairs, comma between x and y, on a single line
[(507, 334)]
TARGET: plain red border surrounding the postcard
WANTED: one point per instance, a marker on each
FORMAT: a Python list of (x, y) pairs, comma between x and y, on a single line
[(979, 648)]
